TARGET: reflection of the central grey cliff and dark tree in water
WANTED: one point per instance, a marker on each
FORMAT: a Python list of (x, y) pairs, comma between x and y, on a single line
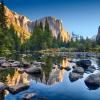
[(51, 75)]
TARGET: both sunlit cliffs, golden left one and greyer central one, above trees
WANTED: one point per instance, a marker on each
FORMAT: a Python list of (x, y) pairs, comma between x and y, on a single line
[(24, 27)]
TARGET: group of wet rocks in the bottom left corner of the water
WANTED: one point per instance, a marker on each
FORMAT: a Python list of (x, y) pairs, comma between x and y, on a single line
[(19, 88)]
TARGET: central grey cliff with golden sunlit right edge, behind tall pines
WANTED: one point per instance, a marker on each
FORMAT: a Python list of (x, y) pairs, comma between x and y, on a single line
[(55, 25)]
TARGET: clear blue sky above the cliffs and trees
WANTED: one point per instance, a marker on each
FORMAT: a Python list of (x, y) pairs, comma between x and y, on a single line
[(78, 16)]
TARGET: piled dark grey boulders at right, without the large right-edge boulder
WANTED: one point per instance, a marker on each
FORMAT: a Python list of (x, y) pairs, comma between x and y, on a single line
[(81, 67)]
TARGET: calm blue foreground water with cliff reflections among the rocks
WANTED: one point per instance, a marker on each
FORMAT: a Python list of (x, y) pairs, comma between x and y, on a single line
[(54, 84)]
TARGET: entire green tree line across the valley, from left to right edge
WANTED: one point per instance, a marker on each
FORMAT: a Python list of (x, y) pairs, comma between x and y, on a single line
[(41, 38)]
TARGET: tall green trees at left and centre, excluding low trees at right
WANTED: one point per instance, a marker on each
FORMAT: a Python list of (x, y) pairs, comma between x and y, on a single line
[(40, 39)]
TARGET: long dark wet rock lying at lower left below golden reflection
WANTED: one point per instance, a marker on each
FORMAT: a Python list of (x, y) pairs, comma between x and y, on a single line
[(18, 88)]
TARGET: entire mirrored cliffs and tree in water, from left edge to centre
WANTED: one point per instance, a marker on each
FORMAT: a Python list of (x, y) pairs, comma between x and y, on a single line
[(51, 74)]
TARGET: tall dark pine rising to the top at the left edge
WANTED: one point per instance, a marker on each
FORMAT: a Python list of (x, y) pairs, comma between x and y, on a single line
[(4, 41)]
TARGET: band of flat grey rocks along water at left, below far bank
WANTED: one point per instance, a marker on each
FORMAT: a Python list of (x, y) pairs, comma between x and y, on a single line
[(30, 68)]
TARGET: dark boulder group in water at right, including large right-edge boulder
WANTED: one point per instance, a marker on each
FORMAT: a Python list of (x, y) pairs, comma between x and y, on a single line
[(85, 66)]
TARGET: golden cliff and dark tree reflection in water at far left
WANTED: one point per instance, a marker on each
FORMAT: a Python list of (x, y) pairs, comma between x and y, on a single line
[(12, 77)]
